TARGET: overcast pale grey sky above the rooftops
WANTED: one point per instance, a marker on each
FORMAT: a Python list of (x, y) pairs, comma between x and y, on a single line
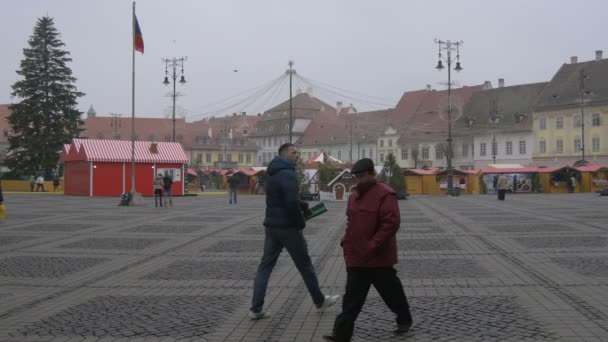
[(375, 48)]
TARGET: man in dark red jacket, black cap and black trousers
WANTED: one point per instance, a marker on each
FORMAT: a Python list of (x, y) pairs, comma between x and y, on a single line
[(370, 252)]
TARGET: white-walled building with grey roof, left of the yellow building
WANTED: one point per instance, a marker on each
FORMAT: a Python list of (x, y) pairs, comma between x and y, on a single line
[(499, 121)]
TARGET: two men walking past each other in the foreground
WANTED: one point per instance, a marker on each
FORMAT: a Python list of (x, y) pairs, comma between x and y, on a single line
[(369, 244)]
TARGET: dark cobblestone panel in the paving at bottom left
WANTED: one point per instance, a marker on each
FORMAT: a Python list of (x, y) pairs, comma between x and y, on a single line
[(134, 316)]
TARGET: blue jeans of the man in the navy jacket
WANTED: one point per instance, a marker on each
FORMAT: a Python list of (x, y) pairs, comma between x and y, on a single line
[(293, 240)]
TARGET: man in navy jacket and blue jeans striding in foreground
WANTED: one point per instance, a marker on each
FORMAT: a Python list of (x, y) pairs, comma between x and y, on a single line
[(283, 223)]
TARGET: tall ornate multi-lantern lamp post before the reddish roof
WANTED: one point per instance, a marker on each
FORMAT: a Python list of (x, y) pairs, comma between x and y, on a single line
[(448, 46)]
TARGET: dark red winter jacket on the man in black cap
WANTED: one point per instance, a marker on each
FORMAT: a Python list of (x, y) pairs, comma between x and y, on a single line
[(373, 221)]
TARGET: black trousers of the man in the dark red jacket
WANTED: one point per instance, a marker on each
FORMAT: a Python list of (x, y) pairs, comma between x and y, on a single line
[(358, 283)]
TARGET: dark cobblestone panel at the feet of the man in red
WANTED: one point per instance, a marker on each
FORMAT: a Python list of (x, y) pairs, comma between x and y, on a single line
[(461, 318)]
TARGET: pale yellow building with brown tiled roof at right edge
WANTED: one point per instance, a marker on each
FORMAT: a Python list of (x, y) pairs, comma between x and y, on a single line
[(558, 125)]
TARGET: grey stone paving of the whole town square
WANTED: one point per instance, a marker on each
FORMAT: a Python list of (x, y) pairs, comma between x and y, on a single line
[(531, 268)]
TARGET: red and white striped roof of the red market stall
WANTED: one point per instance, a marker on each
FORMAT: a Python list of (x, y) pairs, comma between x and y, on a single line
[(97, 150)]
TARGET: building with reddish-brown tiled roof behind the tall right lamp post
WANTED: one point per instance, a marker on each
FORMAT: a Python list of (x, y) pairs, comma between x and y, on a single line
[(421, 121)]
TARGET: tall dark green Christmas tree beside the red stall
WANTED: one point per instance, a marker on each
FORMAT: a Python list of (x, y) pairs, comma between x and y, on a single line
[(45, 117)]
